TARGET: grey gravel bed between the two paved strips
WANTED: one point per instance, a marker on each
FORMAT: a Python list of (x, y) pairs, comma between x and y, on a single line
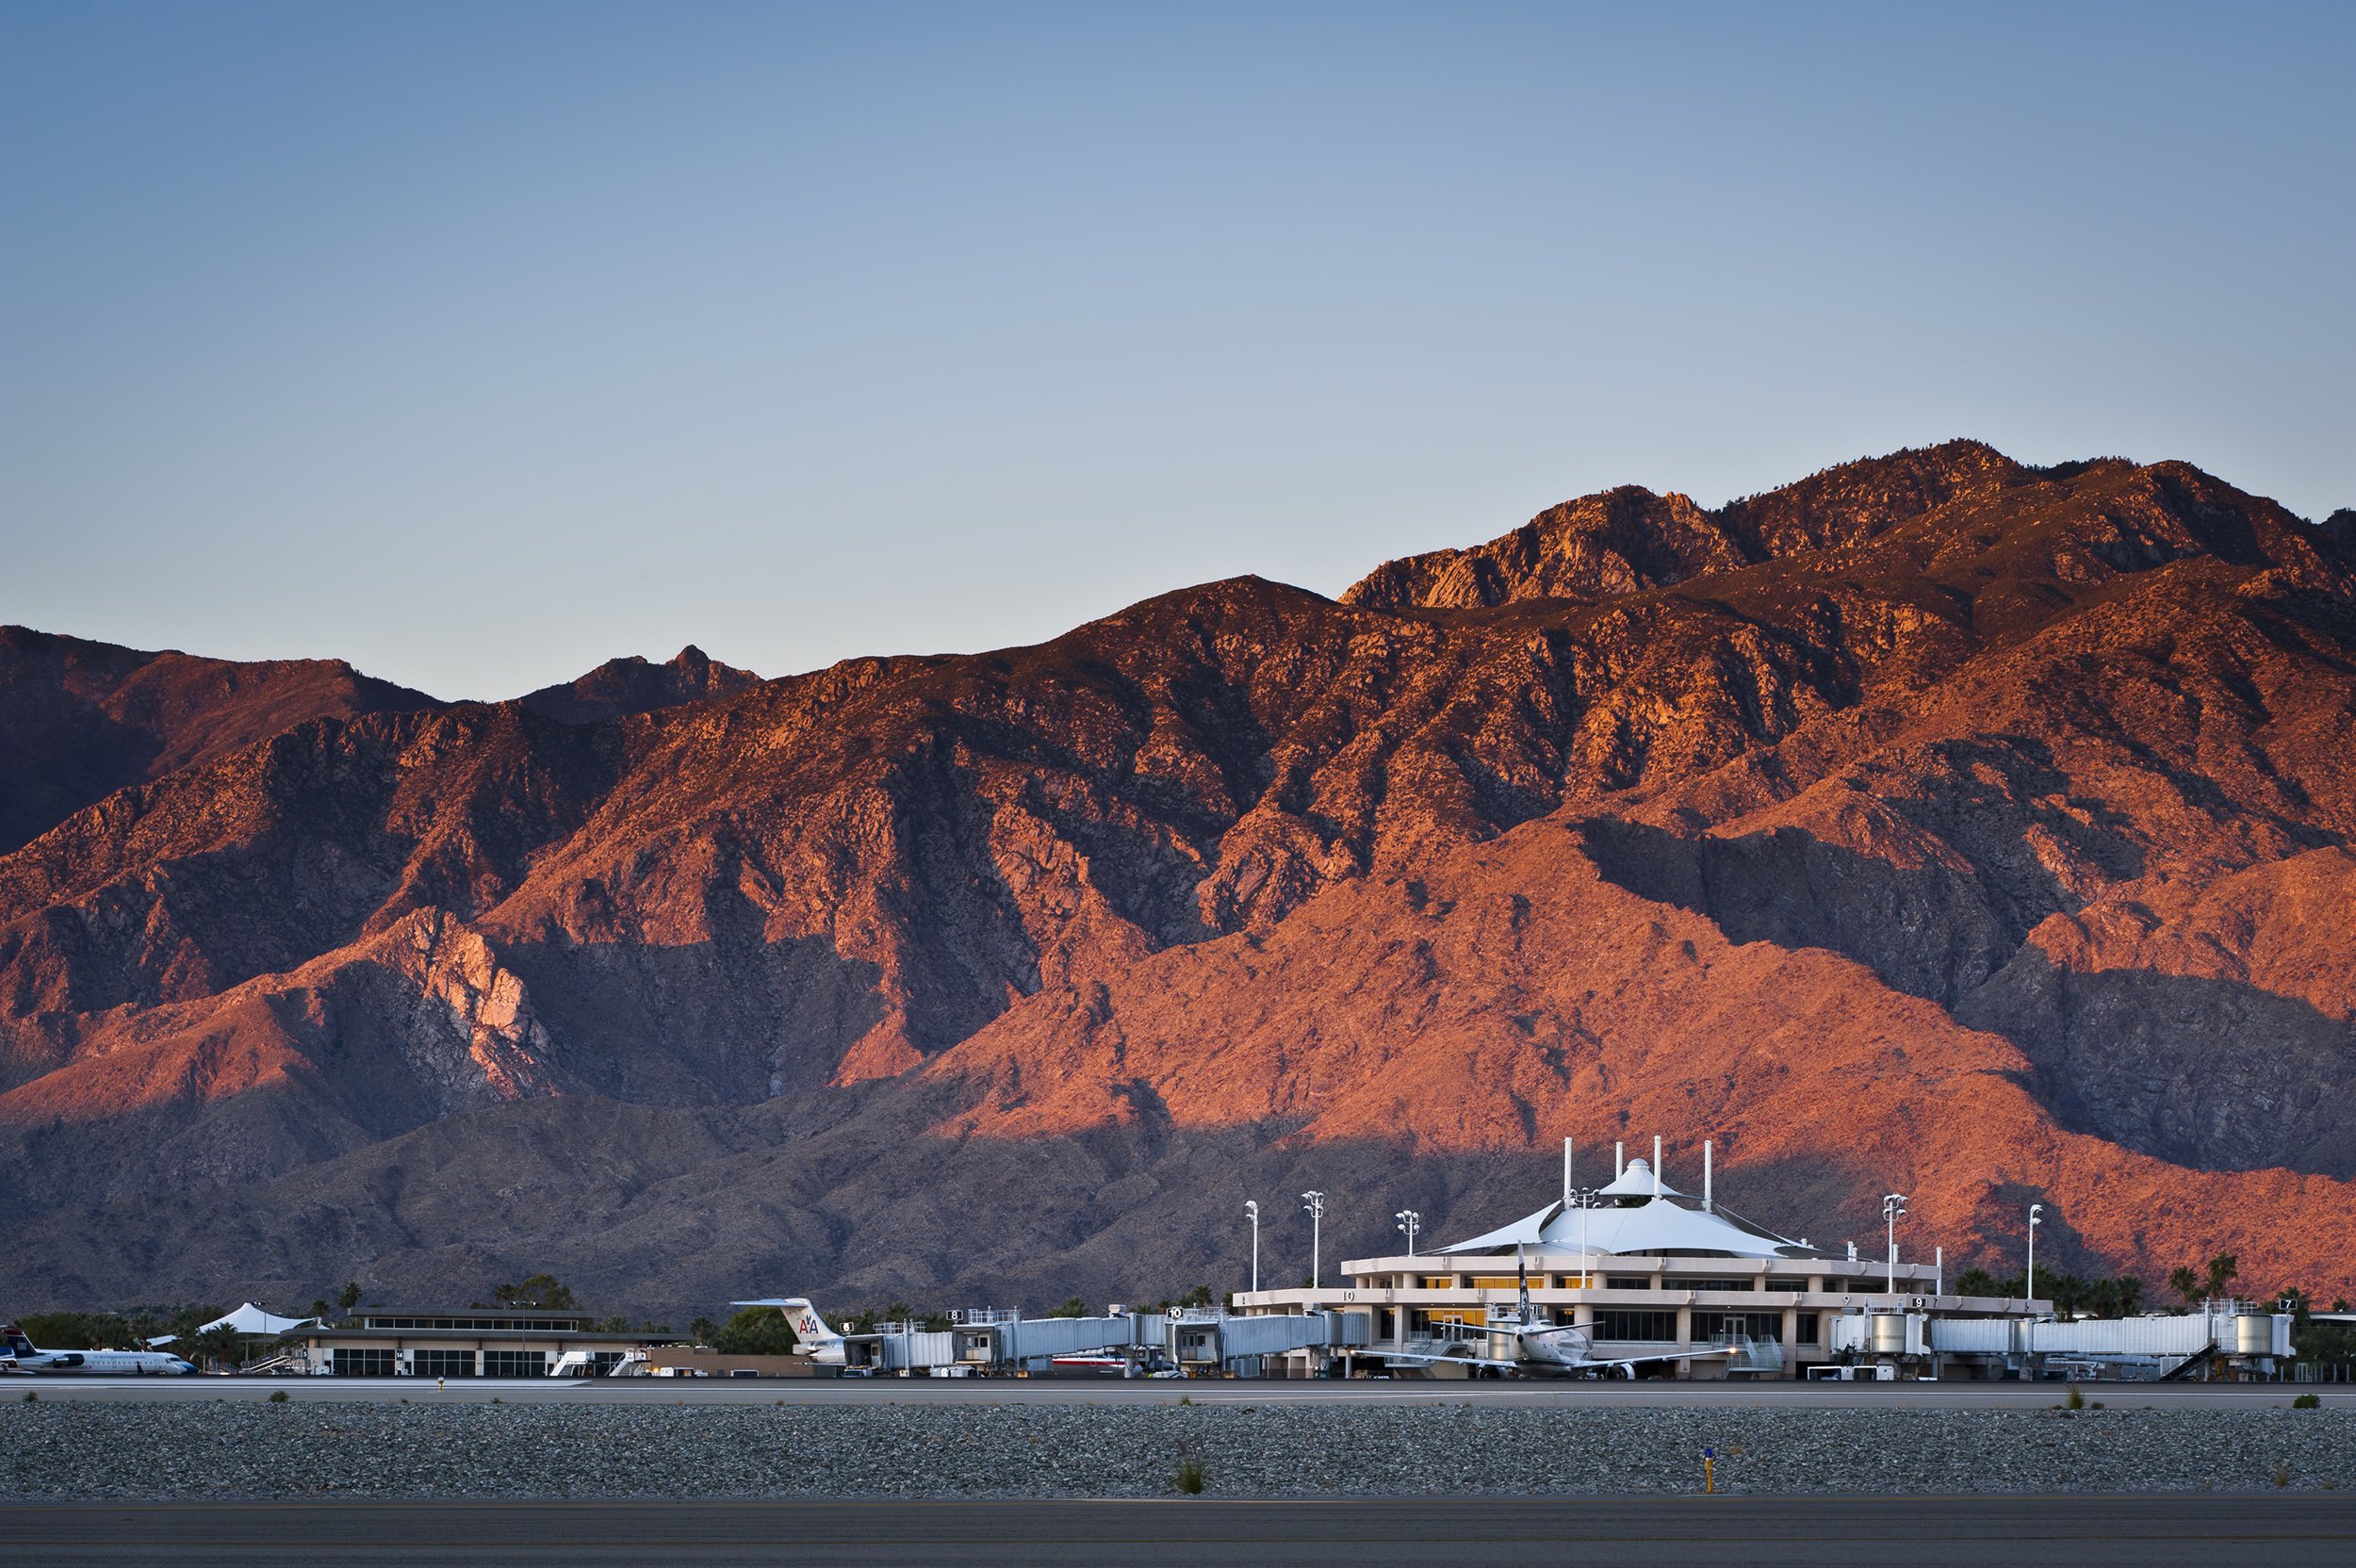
[(253, 1449)]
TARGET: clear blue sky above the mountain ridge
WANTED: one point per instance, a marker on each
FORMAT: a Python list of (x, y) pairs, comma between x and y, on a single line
[(484, 343)]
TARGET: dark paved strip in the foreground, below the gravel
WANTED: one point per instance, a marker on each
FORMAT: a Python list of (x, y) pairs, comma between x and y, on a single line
[(2093, 1532)]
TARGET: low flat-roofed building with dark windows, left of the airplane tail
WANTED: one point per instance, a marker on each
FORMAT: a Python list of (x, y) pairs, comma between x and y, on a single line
[(472, 1343)]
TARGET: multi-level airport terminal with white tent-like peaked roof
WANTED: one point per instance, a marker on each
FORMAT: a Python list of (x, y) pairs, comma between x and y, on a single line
[(1646, 1273)]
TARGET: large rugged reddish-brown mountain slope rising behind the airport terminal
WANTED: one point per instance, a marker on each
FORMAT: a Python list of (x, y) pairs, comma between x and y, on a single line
[(1933, 825)]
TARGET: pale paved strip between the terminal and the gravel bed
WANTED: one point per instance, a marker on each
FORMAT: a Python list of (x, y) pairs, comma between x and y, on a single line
[(1203, 1393)]
